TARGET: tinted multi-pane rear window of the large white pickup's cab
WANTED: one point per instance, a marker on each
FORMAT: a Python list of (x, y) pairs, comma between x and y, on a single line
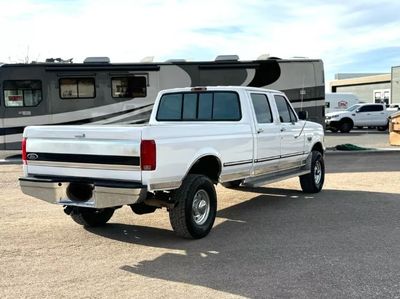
[(203, 106)]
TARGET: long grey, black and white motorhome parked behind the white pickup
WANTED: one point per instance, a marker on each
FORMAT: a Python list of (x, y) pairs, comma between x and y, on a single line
[(99, 92)]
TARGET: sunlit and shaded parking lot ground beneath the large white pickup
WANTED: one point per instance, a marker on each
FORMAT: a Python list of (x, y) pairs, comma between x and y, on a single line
[(268, 242)]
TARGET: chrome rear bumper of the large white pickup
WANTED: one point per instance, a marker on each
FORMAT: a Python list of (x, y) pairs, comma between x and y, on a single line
[(95, 193)]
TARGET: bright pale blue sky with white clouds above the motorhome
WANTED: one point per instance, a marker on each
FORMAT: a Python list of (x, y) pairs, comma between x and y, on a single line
[(349, 36)]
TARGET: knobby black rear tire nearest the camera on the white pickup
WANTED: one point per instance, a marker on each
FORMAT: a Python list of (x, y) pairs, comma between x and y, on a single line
[(182, 216)]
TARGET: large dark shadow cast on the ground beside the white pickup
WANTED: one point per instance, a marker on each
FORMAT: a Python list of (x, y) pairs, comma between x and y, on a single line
[(280, 243)]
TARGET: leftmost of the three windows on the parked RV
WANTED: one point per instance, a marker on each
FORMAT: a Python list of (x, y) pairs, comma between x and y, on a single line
[(22, 93)]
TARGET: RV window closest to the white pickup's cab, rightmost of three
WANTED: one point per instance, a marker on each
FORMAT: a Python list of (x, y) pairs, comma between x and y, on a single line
[(129, 87)]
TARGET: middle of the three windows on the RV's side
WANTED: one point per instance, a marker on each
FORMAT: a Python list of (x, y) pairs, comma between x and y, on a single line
[(77, 88)]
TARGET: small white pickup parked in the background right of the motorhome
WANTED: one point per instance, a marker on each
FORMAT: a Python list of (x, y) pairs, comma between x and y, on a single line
[(359, 115)]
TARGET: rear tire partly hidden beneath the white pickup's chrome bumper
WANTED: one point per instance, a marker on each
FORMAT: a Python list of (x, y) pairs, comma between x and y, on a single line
[(91, 217)]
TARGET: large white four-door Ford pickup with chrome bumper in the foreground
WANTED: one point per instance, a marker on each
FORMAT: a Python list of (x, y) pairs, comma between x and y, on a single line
[(196, 138)]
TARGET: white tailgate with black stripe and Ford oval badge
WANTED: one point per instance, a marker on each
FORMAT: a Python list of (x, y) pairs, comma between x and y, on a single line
[(104, 152)]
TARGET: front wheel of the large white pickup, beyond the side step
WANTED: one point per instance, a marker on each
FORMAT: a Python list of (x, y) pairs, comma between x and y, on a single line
[(313, 181)]
